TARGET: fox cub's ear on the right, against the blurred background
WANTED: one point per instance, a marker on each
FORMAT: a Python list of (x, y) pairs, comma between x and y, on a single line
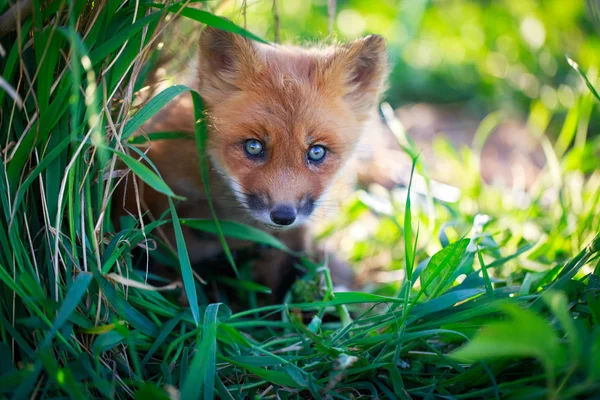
[(361, 69)]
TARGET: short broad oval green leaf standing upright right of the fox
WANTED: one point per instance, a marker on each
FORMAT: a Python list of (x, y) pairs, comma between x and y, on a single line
[(435, 277)]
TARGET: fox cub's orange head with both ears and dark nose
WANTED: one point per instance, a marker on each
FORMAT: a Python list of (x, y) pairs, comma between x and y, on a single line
[(284, 120)]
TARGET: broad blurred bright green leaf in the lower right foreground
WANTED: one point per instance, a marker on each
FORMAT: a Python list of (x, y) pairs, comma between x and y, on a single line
[(525, 334)]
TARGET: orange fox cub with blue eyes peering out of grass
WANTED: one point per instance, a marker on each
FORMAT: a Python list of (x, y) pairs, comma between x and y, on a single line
[(282, 122)]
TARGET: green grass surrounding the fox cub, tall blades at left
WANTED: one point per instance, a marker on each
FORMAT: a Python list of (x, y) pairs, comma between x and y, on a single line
[(499, 295)]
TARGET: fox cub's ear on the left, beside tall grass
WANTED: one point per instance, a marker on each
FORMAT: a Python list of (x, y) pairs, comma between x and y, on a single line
[(226, 61)]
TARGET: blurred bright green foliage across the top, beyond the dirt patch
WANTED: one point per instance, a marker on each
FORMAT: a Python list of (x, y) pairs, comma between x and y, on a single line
[(485, 55)]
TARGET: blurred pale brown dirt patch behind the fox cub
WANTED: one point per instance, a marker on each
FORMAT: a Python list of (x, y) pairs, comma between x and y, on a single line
[(511, 154)]
